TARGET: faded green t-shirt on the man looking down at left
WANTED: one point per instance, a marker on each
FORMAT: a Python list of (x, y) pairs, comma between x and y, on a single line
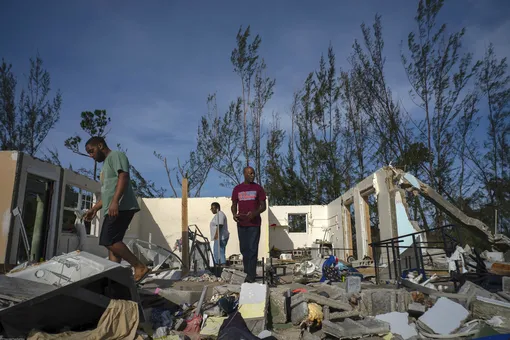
[(115, 162)]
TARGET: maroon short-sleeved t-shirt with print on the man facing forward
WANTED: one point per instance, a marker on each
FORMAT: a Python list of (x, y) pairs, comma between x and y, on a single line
[(249, 197)]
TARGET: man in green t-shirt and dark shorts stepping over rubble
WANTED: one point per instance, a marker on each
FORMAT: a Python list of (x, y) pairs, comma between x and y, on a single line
[(118, 204)]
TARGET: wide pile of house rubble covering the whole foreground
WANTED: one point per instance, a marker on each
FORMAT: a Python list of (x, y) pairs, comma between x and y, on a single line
[(79, 295)]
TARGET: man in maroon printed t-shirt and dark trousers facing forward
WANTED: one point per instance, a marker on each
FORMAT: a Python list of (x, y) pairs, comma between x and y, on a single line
[(248, 202)]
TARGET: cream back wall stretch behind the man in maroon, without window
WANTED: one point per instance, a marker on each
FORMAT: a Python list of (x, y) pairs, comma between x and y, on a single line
[(159, 222)]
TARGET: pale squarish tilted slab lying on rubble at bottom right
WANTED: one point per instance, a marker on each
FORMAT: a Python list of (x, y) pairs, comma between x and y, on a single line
[(444, 317)]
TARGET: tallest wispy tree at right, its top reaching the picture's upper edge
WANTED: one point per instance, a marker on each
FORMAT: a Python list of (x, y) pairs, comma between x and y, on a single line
[(438, 73)]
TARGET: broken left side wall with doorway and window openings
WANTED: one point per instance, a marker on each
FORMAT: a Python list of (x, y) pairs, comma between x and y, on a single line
[(37, 188)]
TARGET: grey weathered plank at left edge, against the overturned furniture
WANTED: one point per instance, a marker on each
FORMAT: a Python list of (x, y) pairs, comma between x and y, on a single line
[(21, 289)]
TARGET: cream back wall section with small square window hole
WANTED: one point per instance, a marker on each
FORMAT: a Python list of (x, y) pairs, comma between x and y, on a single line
[(281, 238)]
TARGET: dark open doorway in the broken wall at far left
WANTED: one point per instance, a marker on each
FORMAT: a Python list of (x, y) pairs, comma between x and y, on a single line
[(36, 217)]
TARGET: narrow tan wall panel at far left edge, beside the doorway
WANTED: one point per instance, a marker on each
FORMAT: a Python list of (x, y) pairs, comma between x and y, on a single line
[(8, 160)]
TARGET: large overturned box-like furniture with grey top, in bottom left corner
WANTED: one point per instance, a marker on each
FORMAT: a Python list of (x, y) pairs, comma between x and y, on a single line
[(69, 290)]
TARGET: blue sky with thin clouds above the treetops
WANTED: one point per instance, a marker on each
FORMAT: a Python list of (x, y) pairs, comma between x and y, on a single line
[(152, 64)]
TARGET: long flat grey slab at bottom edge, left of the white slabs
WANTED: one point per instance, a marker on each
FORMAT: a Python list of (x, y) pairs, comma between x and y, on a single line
[(350, 328)]
